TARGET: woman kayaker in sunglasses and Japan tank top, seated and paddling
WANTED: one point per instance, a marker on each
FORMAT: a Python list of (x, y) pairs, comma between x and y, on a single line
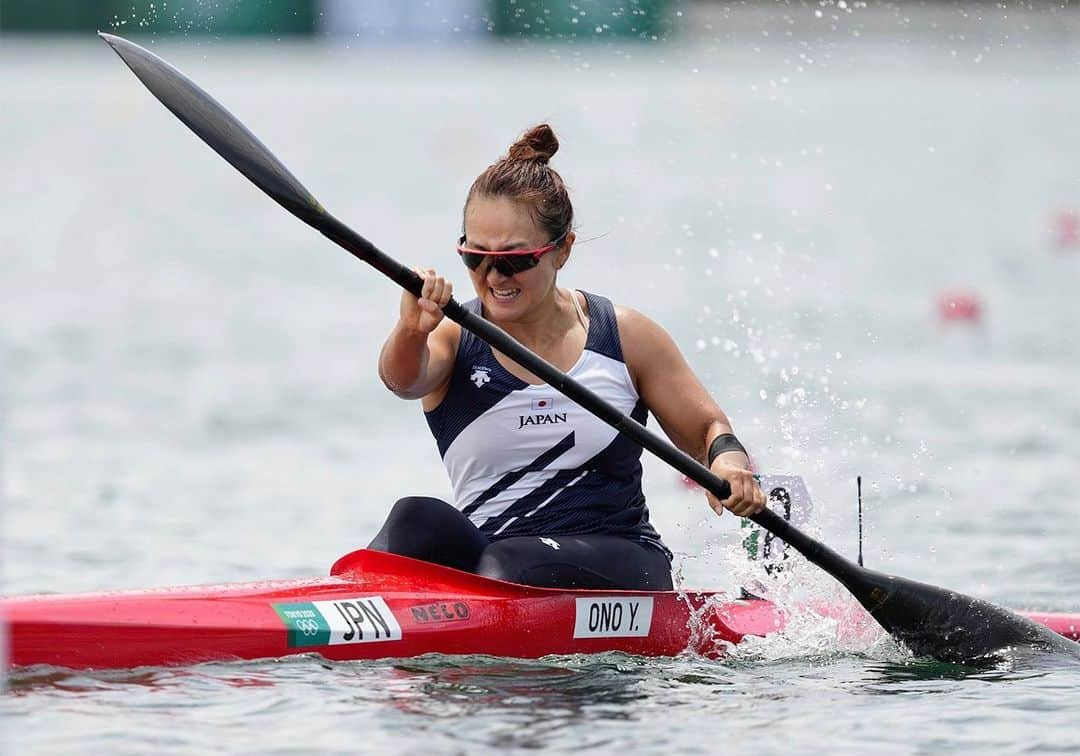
[(545, 493)]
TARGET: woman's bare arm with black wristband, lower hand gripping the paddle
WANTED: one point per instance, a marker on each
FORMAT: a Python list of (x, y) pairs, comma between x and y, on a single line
[(684, 409)]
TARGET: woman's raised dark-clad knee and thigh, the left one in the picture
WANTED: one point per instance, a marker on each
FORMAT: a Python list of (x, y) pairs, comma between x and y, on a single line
[(431, 530)]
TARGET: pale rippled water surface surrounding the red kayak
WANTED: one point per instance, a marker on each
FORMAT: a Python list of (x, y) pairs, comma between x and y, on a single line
[(191, 390)]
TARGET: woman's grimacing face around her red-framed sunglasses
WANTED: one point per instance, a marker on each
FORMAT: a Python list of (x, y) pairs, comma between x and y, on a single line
[(499, 224)]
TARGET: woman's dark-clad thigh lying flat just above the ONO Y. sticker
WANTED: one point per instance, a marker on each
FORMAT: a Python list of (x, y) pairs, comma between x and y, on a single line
[(578, 562)]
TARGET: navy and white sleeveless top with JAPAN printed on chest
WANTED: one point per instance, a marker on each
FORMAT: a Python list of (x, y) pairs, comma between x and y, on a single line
[(524, 461)]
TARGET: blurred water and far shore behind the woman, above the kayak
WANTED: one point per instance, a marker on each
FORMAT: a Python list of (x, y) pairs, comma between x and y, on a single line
[(861, 222)]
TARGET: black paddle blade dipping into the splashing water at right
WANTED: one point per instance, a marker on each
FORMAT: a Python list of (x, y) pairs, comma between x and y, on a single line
[(950, 627)]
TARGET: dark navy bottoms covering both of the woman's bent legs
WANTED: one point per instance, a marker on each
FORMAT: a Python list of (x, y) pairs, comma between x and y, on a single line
[(434, 531)]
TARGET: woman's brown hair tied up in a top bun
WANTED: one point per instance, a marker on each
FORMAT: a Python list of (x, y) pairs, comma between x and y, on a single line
[(524, 177)]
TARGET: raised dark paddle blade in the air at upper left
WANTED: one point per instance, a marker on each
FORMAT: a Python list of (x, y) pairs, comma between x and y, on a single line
[(218, 128)]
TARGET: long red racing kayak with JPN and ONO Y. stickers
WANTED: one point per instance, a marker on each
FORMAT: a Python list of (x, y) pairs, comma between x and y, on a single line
[(376, 605)]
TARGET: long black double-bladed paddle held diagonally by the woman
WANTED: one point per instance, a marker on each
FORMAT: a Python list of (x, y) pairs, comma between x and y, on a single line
[(929, 620)]
